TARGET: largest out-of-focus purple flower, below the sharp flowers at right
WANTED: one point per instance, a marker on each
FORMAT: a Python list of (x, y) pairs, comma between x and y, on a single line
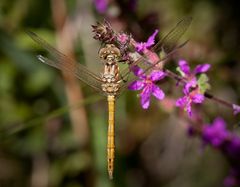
[(215, 134)]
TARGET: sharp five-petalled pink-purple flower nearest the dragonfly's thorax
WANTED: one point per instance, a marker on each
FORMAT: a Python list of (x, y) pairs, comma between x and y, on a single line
[(147, 85)]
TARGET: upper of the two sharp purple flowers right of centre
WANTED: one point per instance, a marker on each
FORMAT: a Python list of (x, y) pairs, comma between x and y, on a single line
[(189, 76)]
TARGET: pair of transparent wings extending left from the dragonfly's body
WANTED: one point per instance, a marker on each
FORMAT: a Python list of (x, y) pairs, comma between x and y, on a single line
[(64, 63)]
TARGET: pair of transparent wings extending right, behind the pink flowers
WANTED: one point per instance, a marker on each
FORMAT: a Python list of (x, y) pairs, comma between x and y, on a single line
[(167, 46)]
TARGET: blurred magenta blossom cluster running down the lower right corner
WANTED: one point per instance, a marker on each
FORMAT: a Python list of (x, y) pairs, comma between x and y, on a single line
[(218, 136)]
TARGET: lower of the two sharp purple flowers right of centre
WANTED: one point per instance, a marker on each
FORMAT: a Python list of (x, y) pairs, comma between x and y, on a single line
[(186, 101)]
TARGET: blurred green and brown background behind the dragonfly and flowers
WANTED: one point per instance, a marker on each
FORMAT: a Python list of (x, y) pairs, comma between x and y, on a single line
[(53, 128)]
